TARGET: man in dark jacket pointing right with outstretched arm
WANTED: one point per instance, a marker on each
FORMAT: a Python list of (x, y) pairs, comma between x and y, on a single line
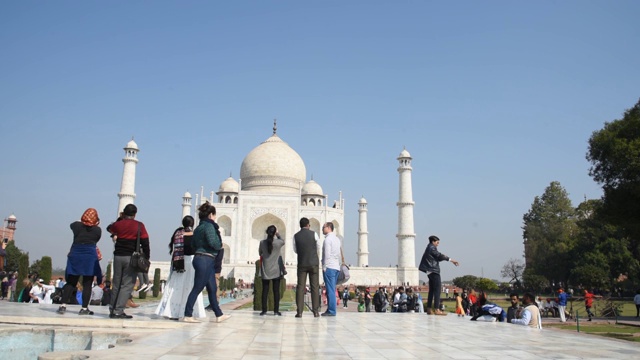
[(430, 264)]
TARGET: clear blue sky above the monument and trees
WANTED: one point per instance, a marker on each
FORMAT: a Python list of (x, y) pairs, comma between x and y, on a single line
[(493, 99)]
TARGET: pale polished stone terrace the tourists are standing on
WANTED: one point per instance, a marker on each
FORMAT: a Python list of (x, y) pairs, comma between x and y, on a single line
[(350, 335)]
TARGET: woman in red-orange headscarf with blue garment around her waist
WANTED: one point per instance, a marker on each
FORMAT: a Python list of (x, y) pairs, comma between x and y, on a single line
[(82, 260)]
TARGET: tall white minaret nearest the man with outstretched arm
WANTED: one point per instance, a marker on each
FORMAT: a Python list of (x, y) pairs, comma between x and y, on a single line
[(406, 235)]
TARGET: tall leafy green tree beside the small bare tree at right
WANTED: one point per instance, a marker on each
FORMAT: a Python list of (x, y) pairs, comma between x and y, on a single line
[(548, 232)]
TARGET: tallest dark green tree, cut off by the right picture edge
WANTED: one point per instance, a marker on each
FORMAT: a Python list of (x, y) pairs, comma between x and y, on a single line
[(614, 153)]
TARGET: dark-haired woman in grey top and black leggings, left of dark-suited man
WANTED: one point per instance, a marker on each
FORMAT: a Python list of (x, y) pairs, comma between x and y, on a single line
[(270, 270)]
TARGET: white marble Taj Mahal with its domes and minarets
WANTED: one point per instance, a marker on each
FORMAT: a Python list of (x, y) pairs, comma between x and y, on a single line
[(273, 190)]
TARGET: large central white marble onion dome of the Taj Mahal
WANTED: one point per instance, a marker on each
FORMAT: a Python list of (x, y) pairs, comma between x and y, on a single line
[(273, 166)]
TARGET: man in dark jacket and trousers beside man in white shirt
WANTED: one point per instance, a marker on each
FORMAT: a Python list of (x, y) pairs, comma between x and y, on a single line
[(305, 244)]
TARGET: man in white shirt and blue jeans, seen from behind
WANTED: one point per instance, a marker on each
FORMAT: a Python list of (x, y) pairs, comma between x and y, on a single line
[(331, 255)]
